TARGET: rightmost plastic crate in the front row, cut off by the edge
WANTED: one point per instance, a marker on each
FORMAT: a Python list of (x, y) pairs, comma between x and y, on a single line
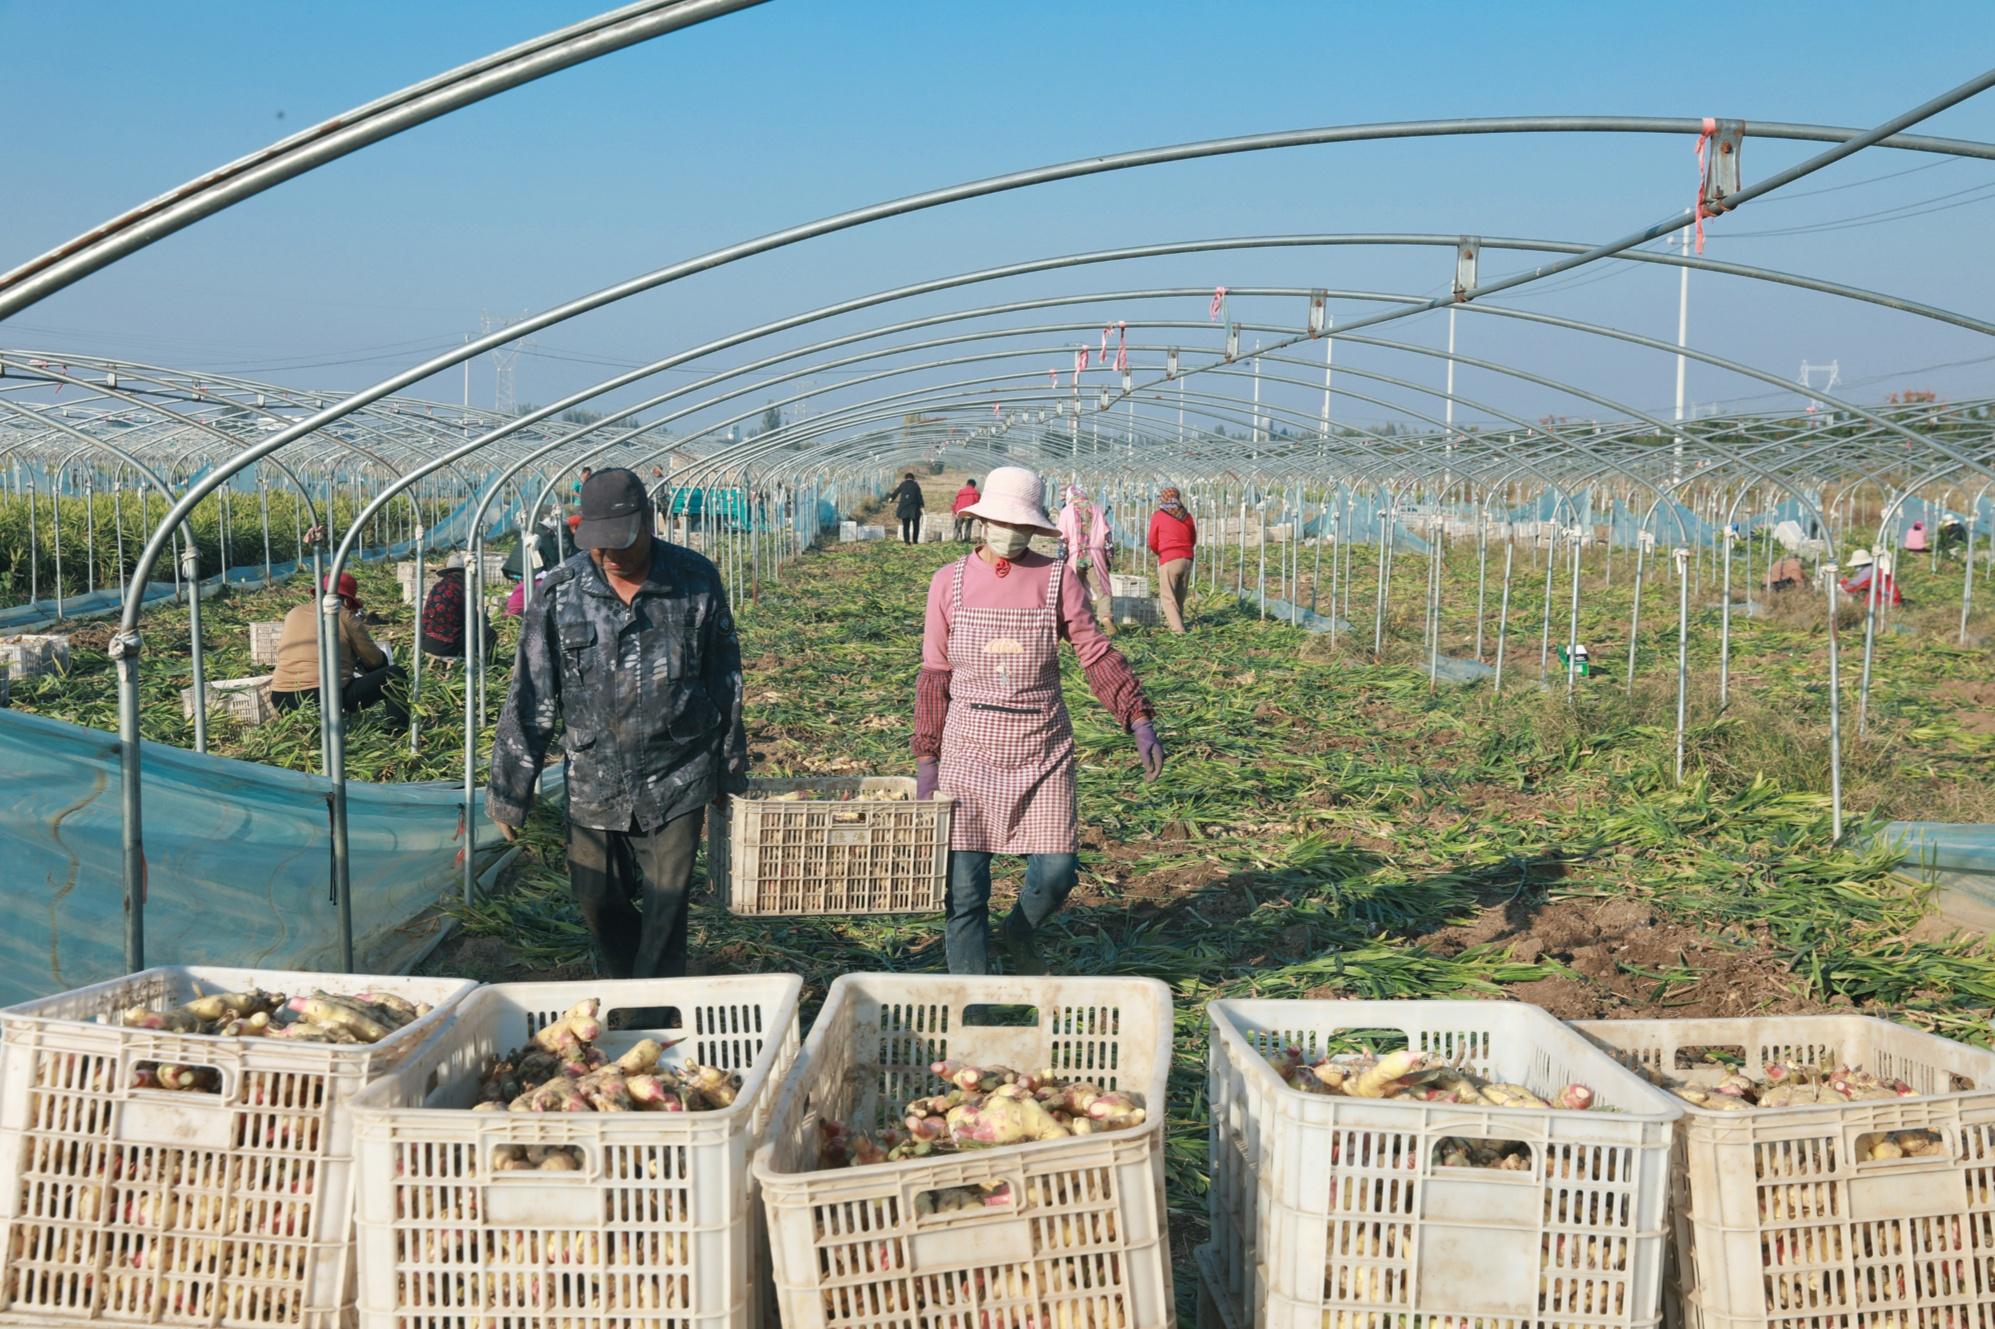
[(1783, 1220)]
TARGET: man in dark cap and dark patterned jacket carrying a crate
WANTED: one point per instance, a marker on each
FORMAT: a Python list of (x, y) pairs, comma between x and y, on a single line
[(627, 648)]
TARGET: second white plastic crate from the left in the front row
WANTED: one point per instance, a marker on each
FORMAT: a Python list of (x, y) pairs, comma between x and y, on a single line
[(659, 1226)]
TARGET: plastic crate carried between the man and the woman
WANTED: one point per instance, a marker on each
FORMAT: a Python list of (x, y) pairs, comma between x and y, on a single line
[(831, 855)]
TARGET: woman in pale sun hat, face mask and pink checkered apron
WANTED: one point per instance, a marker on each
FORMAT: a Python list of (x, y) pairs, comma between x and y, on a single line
[(991, 723)]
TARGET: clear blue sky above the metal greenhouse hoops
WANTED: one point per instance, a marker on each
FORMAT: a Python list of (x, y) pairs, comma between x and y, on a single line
[(803, 109)]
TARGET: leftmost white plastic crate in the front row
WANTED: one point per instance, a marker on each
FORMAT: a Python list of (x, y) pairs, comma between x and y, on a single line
[(183, 1208)]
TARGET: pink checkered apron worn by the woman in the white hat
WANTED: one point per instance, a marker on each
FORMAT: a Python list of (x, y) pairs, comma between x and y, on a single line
[(1008, 745)]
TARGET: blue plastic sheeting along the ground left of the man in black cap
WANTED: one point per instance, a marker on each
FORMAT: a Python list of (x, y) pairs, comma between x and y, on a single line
[(238, 859)]
